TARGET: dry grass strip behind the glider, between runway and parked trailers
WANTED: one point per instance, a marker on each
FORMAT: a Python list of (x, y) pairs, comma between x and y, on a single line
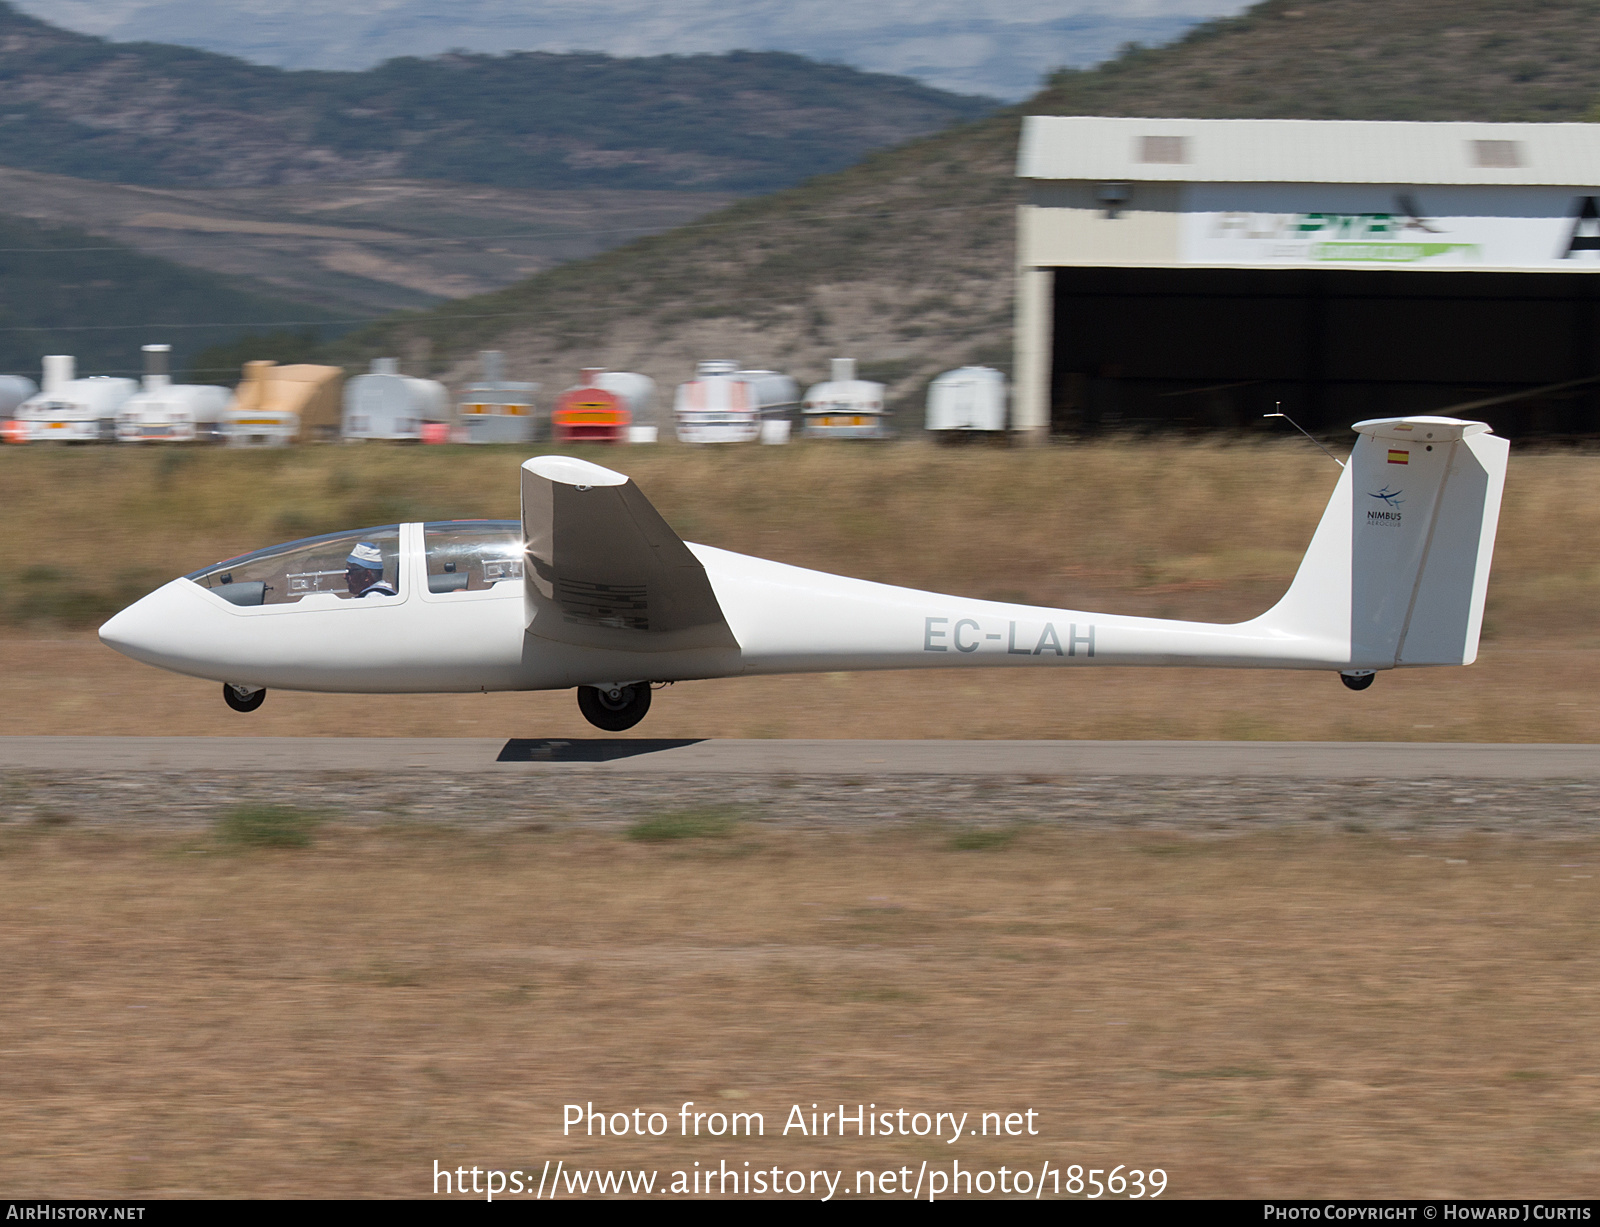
[(1172, 529)]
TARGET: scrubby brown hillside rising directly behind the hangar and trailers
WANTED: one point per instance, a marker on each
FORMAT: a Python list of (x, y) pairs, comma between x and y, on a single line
[(906, 260)]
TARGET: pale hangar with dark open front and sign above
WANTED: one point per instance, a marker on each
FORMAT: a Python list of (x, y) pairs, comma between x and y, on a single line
[(1196, 273)]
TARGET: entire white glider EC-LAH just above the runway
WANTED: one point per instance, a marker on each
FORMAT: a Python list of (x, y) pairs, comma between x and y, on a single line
[(593, 590)]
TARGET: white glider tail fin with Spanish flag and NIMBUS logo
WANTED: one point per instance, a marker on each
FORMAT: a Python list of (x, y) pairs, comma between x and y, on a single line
[(1398, 570)]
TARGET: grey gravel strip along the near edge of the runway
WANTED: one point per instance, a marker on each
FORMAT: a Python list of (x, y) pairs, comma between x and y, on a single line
[(1199, 805)]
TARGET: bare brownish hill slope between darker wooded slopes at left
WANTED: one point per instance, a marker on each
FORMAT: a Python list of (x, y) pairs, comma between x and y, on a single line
[(358, 249)]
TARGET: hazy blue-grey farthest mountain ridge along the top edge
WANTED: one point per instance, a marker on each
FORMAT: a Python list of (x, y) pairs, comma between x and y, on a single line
[(988, 47)]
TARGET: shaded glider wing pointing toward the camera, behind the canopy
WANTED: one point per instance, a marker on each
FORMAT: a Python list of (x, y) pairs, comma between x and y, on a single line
[(606, 570)]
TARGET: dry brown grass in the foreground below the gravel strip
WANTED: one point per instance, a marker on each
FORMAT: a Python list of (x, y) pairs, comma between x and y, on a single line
[(1270, 1015)]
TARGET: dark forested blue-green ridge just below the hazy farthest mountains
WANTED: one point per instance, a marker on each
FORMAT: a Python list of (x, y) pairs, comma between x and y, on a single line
[(174, 116)]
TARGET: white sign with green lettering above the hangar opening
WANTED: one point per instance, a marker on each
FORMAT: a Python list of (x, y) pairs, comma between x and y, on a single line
[(1398, 226)]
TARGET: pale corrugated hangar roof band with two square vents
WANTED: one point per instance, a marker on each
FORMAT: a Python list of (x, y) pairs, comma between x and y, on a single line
[(1308, 151)]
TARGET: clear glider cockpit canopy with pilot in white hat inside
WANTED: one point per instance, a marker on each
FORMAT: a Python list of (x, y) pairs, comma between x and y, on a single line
[(375, 566)]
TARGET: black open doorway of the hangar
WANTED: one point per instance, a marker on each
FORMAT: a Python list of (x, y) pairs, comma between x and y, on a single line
[(1220, 348)]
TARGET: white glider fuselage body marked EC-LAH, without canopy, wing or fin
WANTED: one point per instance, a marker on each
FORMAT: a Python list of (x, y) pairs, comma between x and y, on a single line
[(786, 620)]
